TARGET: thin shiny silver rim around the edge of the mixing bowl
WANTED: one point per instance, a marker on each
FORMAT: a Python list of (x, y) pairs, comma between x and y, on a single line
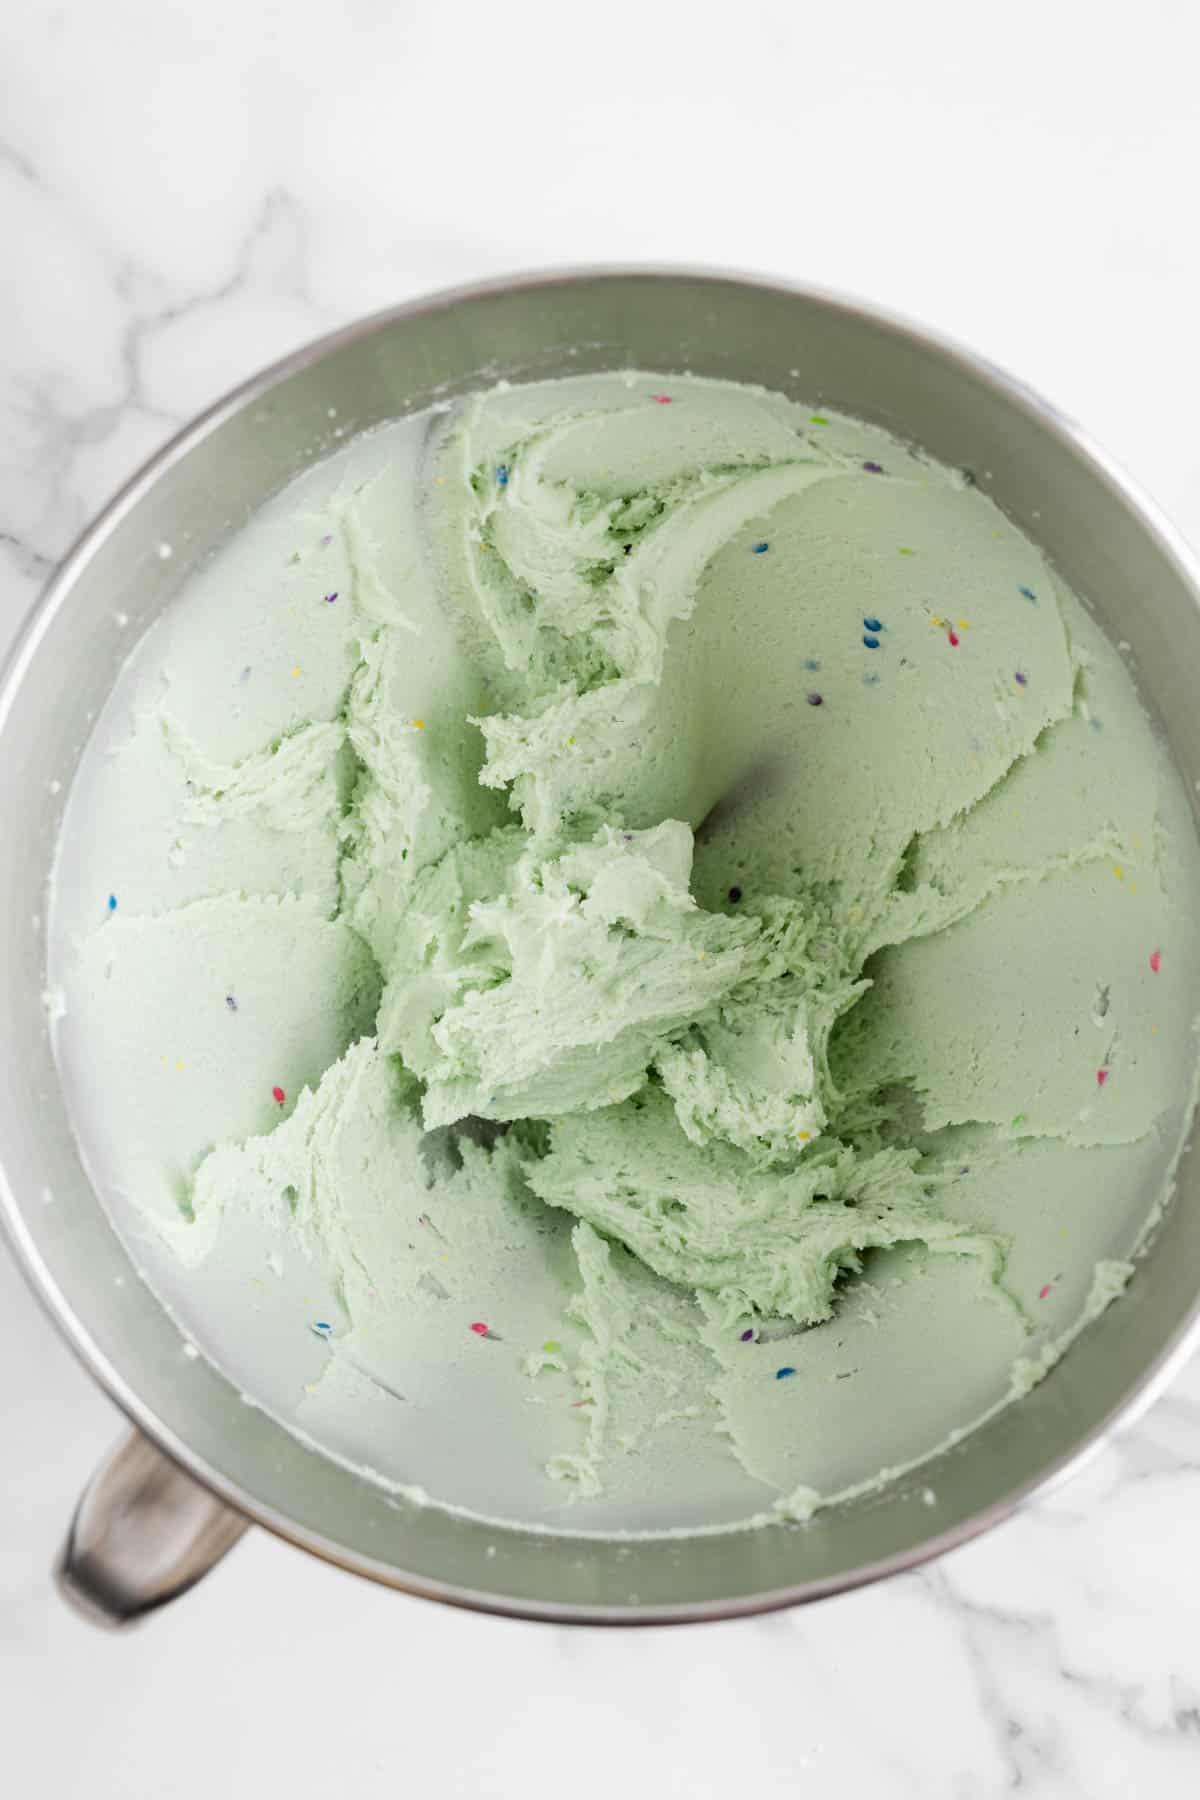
[(57, 595)]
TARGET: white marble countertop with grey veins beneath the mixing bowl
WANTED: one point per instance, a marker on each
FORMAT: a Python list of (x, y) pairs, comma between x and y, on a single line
[(188, 192)]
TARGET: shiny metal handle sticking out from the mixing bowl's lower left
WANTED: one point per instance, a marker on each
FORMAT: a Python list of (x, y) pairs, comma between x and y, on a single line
[(143, 1534)]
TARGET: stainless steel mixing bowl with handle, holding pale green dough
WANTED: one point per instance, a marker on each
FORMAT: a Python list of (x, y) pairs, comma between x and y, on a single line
[(202, 1462)]
